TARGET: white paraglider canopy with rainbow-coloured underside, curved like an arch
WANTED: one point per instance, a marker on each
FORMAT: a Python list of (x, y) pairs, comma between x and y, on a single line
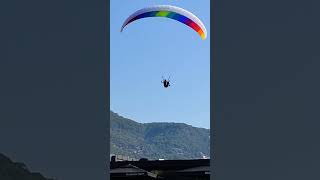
[(171, 12)]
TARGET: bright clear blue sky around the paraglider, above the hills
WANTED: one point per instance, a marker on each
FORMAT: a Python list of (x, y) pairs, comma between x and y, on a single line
[(152, 47)]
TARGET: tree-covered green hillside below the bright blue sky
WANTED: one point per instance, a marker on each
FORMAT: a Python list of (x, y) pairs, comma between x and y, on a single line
[(158, 140)]
